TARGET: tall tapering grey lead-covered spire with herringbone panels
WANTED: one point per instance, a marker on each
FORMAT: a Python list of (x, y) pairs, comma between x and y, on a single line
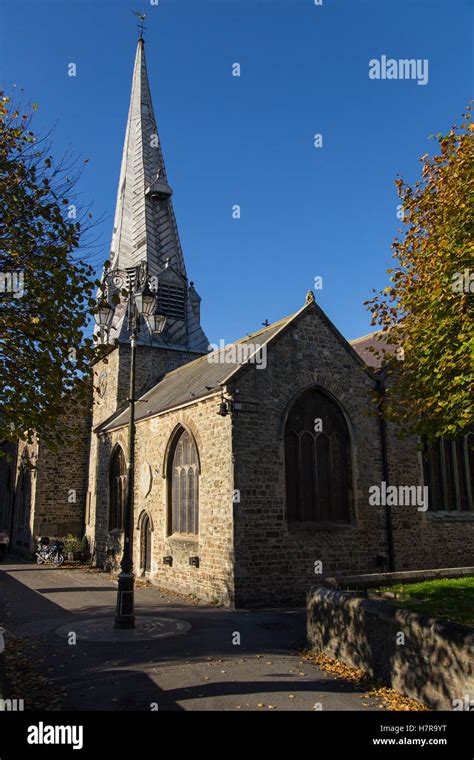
[(145, 230)]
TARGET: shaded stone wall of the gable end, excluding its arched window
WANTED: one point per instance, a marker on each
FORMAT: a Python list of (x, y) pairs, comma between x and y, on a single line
[(275, 563)]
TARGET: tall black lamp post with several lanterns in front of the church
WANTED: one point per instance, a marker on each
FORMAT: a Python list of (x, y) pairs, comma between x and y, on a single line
[(141, 303)]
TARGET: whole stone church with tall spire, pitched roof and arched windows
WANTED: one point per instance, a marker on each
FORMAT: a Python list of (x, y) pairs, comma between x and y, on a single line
[(256, 464)]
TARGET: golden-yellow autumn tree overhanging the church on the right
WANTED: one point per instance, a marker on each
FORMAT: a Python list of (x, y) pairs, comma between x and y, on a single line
[(427, 310)]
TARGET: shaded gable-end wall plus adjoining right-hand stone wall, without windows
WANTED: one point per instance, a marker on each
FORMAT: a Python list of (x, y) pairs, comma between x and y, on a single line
[(274, 562)]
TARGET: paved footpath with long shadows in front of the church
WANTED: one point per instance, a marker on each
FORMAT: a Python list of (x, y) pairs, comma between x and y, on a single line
[(201, 669)]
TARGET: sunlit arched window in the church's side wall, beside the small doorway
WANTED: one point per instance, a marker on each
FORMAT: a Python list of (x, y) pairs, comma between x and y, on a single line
[(183, 479)]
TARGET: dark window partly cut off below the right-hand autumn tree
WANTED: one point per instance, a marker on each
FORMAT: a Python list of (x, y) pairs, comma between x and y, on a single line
[(448, 467)]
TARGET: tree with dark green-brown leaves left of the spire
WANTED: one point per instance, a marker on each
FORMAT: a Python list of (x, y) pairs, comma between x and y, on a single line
[(46, 289)]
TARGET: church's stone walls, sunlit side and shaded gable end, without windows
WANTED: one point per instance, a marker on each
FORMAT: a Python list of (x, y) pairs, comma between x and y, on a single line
[(248, 553)]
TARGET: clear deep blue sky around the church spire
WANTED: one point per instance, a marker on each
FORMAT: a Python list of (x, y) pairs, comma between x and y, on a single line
[(305, 211)]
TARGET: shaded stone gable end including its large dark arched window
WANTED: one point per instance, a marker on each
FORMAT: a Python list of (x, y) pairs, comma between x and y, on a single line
[(310, 372)]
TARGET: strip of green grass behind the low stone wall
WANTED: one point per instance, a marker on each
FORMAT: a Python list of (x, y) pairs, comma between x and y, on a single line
[(448, 598)]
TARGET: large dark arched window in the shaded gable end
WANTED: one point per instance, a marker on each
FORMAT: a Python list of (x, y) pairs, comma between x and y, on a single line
[(317, 461)]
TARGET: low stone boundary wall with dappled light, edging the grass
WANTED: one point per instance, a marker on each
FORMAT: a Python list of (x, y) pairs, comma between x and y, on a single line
[(434, 665)]
